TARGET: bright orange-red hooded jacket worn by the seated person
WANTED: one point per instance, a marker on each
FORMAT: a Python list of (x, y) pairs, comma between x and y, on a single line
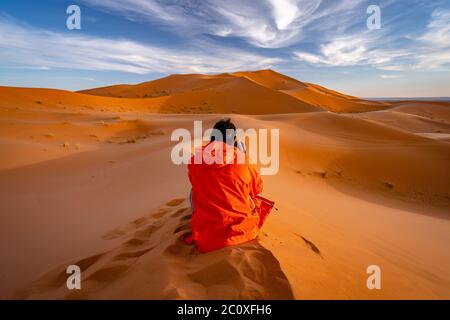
[(223, 197)]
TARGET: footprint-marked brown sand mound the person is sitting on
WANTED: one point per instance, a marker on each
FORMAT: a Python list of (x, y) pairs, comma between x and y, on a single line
[(247, 271)]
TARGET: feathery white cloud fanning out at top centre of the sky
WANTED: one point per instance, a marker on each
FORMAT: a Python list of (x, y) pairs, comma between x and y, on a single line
[(266, 23)]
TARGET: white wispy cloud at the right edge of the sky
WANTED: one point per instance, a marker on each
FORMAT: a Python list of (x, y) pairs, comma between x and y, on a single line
[(387, 50)]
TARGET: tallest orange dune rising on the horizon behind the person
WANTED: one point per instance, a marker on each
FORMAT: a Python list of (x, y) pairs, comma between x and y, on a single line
[(277, 87)]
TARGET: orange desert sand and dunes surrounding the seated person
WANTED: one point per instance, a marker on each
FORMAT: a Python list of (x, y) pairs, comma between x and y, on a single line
[(86, 178)]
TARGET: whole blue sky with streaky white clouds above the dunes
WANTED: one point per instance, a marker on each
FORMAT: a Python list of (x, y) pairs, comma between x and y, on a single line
[(321, 41)]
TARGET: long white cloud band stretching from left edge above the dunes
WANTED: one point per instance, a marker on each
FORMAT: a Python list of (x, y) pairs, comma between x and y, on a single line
[(35, 48)]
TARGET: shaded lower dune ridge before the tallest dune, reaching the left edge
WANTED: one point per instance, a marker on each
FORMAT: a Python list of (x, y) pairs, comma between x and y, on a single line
[(221, 98)]
